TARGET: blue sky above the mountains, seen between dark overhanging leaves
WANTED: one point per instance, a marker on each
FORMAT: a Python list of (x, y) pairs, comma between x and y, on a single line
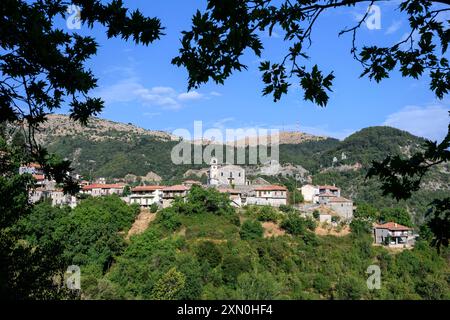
[(140, 86)]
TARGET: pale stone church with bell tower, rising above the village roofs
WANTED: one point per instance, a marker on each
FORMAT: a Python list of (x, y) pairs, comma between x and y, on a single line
[(228, 174)]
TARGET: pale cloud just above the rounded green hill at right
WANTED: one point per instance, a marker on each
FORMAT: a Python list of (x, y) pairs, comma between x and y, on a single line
[(427, 121)]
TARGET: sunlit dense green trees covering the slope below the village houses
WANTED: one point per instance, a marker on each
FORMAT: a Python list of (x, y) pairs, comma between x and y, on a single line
[(205, 249)]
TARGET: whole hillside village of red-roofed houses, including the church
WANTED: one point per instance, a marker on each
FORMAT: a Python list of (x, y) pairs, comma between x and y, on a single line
[(229, 179)]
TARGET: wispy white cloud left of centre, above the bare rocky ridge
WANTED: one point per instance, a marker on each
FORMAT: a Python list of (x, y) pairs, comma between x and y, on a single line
[(131, 89)]
